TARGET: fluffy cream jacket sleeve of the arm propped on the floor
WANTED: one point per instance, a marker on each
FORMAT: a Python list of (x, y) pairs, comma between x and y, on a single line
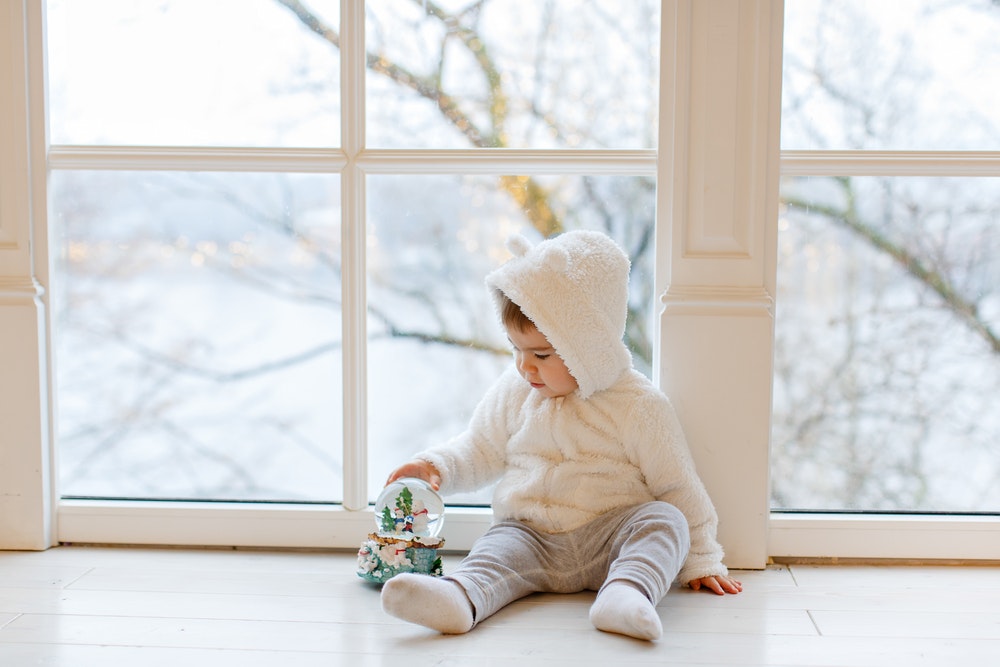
[(657, 443)]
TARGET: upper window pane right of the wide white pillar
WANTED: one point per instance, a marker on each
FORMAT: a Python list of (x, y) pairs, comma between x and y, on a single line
[(907, 75)]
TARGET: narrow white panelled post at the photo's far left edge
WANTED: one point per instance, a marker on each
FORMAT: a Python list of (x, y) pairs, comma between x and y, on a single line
[(25, 464)]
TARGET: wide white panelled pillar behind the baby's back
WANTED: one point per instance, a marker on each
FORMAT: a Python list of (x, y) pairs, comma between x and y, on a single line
[(718, 197)]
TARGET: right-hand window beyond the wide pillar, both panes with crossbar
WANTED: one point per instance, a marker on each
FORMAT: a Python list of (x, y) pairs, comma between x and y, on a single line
[(887, 361)]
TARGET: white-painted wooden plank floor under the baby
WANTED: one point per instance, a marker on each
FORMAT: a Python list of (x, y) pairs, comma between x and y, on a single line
[(111, 607)]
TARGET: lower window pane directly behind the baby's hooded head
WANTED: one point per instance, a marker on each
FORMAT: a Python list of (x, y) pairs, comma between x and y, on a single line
[(435, 343)]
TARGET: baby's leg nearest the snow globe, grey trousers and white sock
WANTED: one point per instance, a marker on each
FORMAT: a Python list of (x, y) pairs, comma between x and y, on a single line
[(505, 564)]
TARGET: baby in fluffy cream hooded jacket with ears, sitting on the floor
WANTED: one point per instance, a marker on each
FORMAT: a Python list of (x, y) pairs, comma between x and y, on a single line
[(597, 489)]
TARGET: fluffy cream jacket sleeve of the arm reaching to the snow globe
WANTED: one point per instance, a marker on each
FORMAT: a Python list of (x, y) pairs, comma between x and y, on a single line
[(477, 457)]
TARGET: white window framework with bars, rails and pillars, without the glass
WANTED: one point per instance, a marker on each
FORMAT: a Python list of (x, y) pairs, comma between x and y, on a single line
[(715, 269)]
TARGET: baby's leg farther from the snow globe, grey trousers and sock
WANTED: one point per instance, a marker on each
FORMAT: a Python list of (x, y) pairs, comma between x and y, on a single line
[(646, 556)]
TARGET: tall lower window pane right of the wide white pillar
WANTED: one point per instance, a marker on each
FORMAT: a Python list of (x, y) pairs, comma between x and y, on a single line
[(887, 364)]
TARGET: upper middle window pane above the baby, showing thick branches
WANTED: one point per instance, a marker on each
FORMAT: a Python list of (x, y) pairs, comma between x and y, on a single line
[(513, 73)]
